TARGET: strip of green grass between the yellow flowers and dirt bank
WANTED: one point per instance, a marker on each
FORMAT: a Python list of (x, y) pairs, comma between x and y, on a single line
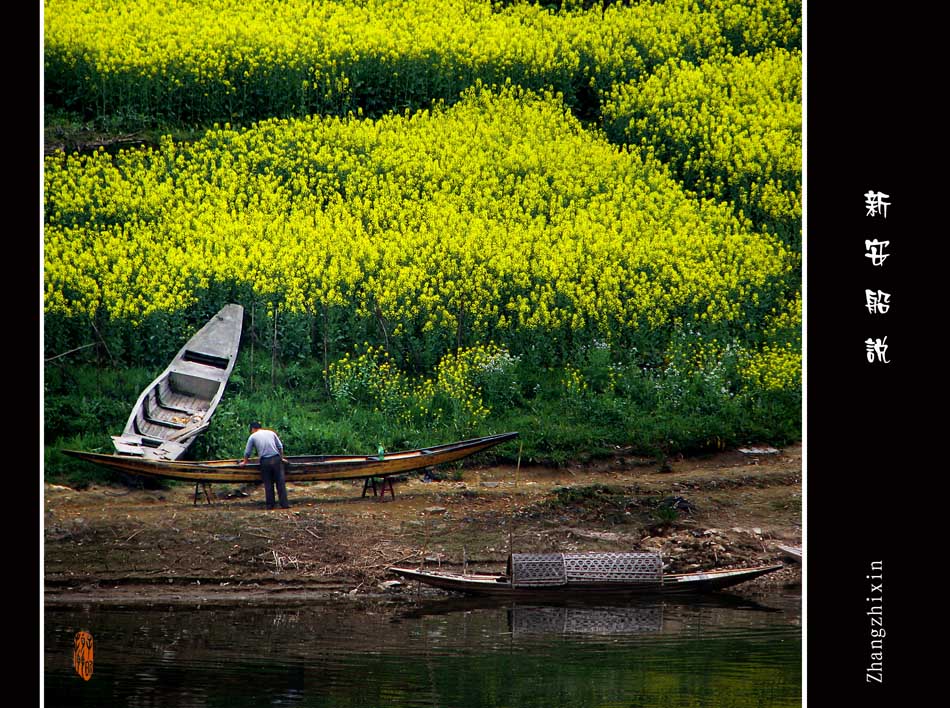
[(85, 404)]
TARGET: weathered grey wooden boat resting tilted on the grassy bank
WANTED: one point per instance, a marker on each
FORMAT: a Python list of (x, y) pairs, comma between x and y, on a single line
[(177, 406)]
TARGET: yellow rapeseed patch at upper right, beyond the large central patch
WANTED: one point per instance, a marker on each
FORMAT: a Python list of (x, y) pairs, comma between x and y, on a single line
[(731, 127)]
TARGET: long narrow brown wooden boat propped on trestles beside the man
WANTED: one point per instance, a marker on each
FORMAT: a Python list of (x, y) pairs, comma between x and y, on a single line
[(304, 468)]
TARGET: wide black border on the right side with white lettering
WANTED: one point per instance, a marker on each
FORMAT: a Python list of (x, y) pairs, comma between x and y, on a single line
[(871, 462)]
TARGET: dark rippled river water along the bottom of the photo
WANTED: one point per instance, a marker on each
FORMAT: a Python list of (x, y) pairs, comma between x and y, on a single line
[(719, 651)]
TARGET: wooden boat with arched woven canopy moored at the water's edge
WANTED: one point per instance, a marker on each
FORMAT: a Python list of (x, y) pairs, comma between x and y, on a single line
[(564, 574)]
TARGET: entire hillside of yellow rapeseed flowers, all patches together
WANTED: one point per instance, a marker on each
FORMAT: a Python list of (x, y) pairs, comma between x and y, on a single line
[(419, 165)]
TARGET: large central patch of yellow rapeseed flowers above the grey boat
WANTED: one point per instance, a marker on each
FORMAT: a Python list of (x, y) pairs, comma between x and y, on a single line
[(496, 215)]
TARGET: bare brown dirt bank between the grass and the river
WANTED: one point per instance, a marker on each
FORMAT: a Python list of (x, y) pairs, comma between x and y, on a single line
[(110, 544)]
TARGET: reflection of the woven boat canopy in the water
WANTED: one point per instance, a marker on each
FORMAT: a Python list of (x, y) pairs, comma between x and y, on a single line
[(585, 620)]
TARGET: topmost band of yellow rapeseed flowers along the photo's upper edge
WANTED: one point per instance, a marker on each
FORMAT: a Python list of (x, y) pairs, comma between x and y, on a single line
[(239, 60)]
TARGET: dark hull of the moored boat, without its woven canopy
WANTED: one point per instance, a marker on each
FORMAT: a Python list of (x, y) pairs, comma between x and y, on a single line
[(500, 585)]
